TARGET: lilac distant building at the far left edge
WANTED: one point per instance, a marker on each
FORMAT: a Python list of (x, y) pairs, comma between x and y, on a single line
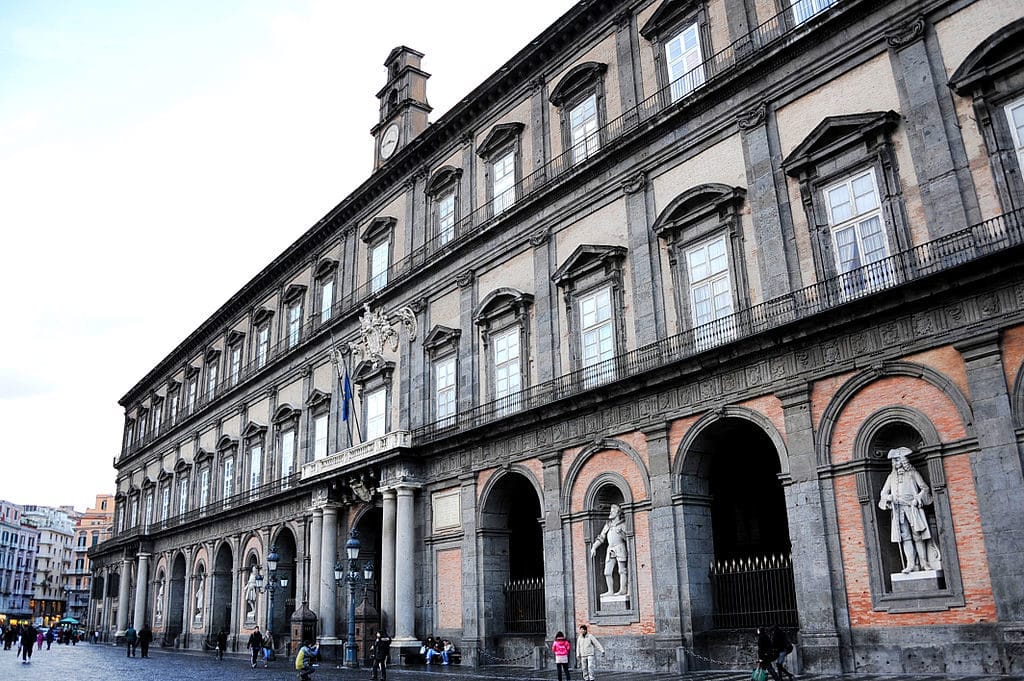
[(19, 542)]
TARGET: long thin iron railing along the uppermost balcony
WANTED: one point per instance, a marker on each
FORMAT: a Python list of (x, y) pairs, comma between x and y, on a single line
[(769, 35)]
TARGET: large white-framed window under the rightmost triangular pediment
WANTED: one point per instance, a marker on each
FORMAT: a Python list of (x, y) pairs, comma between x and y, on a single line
[(859, 234)]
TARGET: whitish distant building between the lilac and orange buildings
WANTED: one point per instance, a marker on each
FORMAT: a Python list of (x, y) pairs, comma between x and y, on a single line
[(54, 561)]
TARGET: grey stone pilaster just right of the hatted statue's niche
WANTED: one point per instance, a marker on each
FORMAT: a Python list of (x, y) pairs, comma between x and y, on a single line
[(999, 479)]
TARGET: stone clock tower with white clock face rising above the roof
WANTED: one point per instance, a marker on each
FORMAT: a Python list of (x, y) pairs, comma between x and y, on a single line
[(404, 107)]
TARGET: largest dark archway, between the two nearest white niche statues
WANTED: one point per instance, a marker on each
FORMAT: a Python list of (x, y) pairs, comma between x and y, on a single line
[(738, 537)]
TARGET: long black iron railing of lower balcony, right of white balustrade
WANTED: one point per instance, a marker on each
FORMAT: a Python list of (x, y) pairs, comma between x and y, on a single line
[(916, 264)]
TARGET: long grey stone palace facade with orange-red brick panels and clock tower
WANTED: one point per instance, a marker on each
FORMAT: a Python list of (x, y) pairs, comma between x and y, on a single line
[(705, 265)]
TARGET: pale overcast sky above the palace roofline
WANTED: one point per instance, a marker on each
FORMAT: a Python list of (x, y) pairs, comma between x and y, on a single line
[(155, 157)]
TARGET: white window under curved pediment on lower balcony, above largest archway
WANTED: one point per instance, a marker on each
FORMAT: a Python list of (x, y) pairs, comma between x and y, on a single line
[(711, 292)]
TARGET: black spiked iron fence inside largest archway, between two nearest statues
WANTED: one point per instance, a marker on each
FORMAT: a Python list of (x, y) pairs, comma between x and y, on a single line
[(752, 592)]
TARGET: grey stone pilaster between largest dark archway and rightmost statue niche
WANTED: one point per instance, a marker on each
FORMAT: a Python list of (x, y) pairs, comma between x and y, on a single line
[(818, 568)]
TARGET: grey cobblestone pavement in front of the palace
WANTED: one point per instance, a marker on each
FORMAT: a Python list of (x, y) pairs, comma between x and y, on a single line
[(105, 663)]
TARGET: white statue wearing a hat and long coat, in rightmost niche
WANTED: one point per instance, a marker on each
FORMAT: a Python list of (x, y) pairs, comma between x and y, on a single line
[(906, 494)]
